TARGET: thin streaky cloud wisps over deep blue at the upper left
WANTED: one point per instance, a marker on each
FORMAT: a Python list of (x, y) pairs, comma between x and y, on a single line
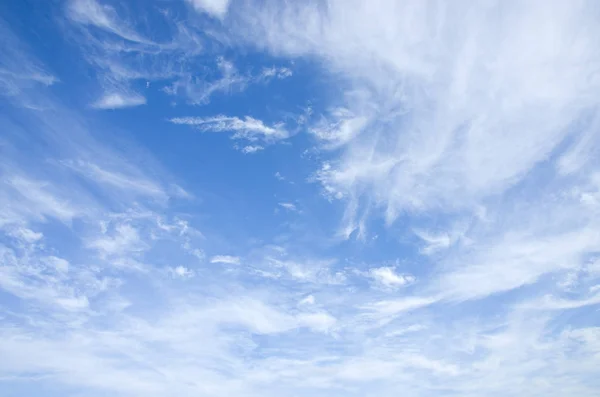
[(120, 54)]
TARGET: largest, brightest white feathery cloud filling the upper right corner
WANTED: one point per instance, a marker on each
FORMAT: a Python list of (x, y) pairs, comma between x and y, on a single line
[(451, 93)]
